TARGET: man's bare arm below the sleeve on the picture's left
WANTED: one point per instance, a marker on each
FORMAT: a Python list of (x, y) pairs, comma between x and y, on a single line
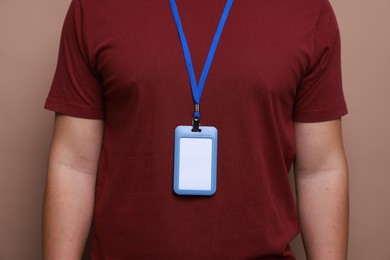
[(70, 187)]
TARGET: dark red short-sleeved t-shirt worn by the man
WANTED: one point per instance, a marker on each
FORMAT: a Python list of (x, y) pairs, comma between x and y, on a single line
[(121, 61)]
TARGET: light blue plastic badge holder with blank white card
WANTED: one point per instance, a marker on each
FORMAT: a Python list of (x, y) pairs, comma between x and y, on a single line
[(195, 165)]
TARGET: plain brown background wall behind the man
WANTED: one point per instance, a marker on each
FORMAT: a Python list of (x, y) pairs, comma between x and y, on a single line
[(29, 36)]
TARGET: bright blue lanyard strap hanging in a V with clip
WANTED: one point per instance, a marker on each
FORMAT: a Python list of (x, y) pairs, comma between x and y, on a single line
[(198, 88)]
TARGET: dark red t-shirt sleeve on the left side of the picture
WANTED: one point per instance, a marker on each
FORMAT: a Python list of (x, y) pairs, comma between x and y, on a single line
[(76, 89)]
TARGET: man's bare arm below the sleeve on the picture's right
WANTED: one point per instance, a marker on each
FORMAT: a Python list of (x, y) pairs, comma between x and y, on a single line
[(321, 177)]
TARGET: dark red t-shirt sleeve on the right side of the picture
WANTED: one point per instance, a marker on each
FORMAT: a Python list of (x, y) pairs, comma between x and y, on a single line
[(320, 96)]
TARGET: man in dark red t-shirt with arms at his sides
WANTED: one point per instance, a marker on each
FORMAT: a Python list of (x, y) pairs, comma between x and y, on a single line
[(273, 92)]
